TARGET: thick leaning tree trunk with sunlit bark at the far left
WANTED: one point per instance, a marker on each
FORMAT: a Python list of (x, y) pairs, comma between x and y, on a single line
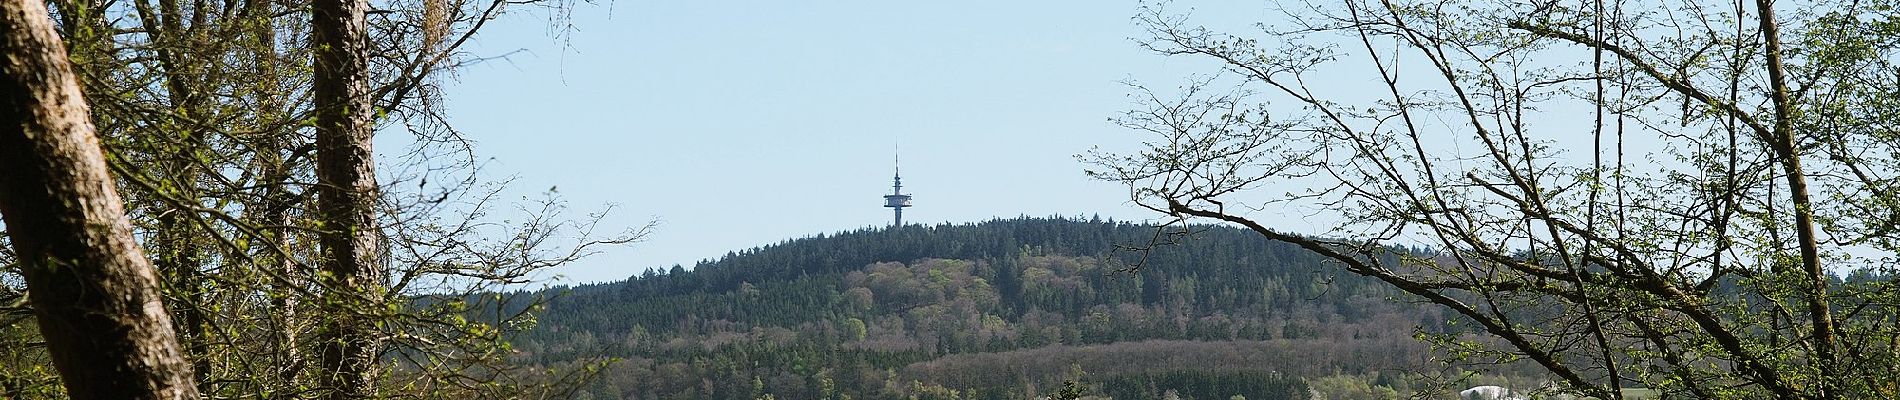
[(94, 293)]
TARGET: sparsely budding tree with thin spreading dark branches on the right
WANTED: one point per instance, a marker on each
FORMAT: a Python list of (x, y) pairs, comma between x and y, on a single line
[(1620, 192)]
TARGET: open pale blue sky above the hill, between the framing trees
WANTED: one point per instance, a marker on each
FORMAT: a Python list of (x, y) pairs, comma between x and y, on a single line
[(742, 124)]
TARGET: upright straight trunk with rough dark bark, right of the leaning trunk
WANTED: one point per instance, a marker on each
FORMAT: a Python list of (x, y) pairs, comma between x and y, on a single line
[(347, 196)]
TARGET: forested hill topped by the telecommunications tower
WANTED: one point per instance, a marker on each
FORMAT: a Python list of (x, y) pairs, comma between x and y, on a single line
[(993, 310)]
